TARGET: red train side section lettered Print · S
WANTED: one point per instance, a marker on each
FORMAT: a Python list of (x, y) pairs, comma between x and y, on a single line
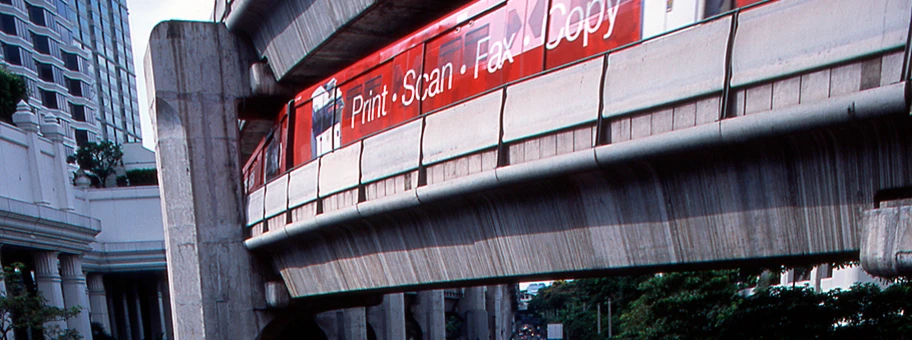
[(380, 98)]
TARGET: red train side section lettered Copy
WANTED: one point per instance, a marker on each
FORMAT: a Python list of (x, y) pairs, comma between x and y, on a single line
[(581, 28)]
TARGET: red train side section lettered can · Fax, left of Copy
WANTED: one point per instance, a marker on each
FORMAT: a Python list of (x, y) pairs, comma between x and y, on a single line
[(498, 47)]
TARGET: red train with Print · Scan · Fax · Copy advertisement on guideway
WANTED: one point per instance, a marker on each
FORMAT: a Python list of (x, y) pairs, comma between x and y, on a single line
[(477, 49)]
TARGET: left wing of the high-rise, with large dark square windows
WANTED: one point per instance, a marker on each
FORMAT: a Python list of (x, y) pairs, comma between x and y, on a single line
[(37, 42)]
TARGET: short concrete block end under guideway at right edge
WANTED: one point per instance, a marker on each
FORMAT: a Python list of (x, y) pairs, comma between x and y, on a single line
[(886, 249)]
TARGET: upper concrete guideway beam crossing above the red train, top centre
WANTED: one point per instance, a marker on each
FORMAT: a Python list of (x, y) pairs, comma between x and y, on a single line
[(307, 40)]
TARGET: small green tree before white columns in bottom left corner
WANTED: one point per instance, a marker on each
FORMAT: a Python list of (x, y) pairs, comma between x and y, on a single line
[(21, 309)]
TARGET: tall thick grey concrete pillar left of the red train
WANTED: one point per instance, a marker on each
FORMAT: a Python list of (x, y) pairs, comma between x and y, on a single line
[(196, 74)]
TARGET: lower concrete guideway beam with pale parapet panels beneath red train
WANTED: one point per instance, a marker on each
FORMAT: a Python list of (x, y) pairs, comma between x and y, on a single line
[(761, 147)]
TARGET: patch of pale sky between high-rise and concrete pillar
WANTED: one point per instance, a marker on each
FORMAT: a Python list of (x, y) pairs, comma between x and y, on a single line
[(144, 15)]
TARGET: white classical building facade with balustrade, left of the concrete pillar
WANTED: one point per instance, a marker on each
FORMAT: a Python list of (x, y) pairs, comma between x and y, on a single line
[(99, 249)]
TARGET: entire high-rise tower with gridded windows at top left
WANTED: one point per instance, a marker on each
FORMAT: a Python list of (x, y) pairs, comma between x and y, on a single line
[(76, 57)]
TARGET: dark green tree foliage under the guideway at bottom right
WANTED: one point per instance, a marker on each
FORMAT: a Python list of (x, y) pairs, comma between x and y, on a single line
[(714, 305)]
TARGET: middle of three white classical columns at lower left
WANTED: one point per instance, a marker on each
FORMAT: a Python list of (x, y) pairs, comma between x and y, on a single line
[(75, 294)]
